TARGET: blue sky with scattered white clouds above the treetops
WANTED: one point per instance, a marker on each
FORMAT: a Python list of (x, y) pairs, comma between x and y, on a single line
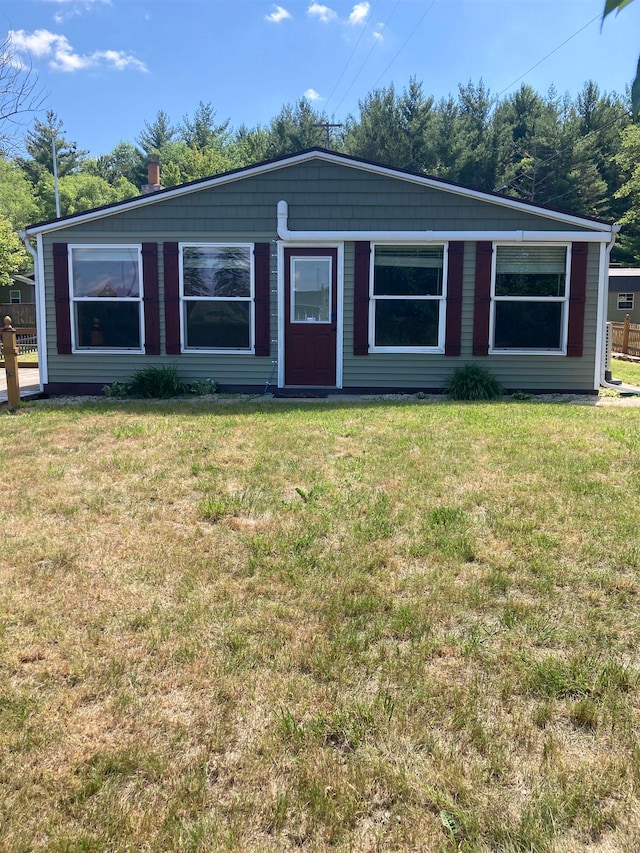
[(107, 66)]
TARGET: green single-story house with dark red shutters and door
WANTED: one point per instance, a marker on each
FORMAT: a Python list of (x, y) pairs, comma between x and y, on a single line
[(322, 271)]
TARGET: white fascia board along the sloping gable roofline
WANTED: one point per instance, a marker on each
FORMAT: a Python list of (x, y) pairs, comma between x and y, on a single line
[(156, 198)]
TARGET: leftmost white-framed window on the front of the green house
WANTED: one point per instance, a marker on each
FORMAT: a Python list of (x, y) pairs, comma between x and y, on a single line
[(106, 297)]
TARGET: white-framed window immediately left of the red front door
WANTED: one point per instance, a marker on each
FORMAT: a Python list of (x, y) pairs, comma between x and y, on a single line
[(217, 297)]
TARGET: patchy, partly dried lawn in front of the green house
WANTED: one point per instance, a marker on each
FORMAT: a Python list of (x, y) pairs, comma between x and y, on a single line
[(364, 627)]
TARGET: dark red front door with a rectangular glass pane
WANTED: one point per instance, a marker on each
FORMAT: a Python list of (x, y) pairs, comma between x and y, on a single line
[(310, 286)]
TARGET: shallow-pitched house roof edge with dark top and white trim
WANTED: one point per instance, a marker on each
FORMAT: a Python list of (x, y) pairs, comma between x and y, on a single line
[(328, 156)]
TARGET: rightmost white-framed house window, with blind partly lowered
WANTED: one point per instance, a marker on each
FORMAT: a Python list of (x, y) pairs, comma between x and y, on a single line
[(529, 298)]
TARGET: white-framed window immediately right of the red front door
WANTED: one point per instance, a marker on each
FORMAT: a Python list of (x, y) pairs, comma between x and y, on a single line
[(408, 298)]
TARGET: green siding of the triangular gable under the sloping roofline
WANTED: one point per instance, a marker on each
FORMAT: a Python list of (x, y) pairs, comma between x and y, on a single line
[(320, 196)]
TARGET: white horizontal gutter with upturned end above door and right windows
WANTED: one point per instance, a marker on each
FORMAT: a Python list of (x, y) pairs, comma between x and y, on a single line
[(288, 235)]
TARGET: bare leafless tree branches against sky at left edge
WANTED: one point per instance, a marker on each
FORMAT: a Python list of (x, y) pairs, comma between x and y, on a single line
[(19, 93)]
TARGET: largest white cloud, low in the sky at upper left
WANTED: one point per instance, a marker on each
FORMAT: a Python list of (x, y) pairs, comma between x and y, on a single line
[(44, 44)]
